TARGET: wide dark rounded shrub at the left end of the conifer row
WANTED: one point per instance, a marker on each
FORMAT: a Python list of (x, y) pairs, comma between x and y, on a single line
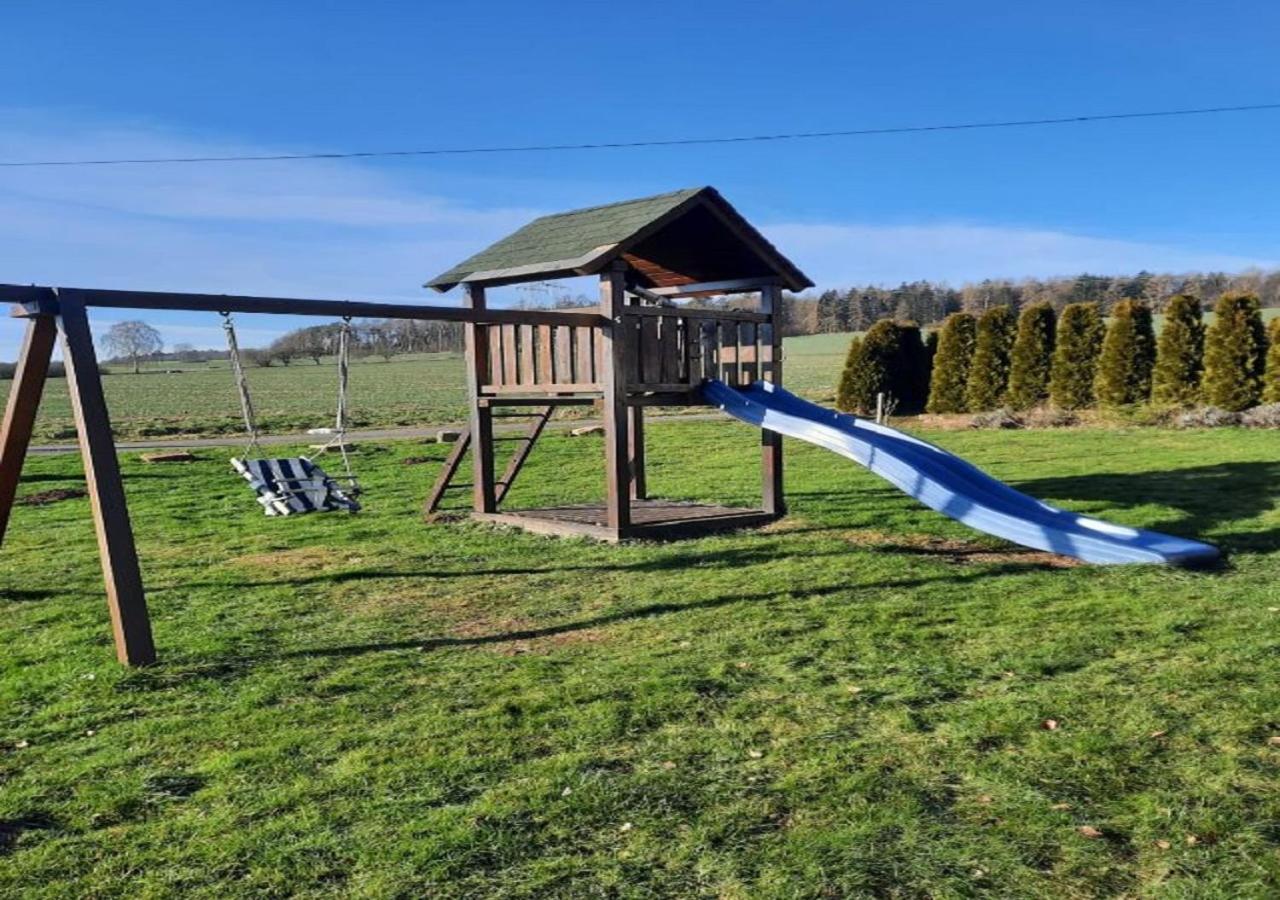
[(890, 359)]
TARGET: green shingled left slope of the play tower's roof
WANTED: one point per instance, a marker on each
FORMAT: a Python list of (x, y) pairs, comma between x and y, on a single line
[(565, 241)]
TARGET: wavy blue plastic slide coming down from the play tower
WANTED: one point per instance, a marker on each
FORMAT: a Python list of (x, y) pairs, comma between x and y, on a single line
[(950, 486)]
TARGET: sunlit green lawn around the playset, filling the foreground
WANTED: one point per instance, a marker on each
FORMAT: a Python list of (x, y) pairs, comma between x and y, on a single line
[(847, 705)]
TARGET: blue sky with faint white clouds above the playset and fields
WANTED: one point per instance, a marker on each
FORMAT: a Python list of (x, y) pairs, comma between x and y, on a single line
[(164, 79)]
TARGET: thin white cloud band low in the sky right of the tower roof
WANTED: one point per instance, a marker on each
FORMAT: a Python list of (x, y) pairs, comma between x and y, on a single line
[(872, 254)]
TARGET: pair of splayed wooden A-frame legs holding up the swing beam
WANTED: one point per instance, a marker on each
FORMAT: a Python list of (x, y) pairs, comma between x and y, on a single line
[(131, 623)]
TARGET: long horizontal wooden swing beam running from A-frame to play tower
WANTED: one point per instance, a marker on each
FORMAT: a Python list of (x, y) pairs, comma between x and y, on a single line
[(44, 301)]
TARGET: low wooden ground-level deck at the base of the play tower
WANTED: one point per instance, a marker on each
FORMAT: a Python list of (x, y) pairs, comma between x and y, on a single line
[(651, 520)]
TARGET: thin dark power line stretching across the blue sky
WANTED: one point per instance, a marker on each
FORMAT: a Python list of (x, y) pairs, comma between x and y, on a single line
[(669, 143)]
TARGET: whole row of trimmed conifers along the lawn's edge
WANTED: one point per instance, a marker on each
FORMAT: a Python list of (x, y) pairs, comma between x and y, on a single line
[(1075, 360)]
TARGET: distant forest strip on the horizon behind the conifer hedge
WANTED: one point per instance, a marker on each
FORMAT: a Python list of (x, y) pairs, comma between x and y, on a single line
[(927, 303)]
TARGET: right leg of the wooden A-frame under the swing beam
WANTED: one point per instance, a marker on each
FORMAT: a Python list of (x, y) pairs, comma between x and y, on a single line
[(125, 595)]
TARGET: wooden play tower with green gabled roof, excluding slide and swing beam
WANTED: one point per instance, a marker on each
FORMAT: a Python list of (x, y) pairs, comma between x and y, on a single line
[(639, 349)]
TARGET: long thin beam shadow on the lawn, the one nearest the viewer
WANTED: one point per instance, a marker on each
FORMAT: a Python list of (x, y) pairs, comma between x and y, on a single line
[(655, 610)]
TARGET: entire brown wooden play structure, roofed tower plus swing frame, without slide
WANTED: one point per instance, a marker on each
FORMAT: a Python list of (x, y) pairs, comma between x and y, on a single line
[(646, 345)]
